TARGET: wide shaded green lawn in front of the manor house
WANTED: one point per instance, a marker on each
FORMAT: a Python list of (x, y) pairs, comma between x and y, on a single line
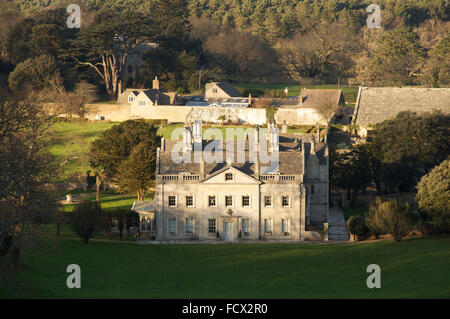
[(417, 268)]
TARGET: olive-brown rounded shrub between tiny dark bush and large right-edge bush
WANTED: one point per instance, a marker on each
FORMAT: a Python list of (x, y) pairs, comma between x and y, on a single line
[(390, 217)]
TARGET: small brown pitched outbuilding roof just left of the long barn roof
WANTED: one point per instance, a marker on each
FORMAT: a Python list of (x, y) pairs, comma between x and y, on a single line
[(318, 97)]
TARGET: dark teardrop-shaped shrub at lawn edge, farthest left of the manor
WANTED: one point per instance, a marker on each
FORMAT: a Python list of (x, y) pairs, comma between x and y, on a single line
[(86, 219)]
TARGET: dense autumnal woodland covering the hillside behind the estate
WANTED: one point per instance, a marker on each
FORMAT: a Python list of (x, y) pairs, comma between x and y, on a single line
[(231, 39)]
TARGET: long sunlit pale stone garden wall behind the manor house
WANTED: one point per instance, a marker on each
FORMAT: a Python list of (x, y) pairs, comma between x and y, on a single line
[(177, 114)]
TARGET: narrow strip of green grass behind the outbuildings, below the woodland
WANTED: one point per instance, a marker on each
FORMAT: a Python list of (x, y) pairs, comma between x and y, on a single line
[(350, 92)]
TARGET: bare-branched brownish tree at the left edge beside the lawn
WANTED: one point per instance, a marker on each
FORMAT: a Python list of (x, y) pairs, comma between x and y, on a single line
[(25, 169)]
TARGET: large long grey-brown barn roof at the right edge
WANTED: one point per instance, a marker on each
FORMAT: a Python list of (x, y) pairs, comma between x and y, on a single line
[(379, 104)]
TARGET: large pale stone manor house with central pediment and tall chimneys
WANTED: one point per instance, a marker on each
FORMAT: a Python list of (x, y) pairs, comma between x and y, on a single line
[(240, 197)]
